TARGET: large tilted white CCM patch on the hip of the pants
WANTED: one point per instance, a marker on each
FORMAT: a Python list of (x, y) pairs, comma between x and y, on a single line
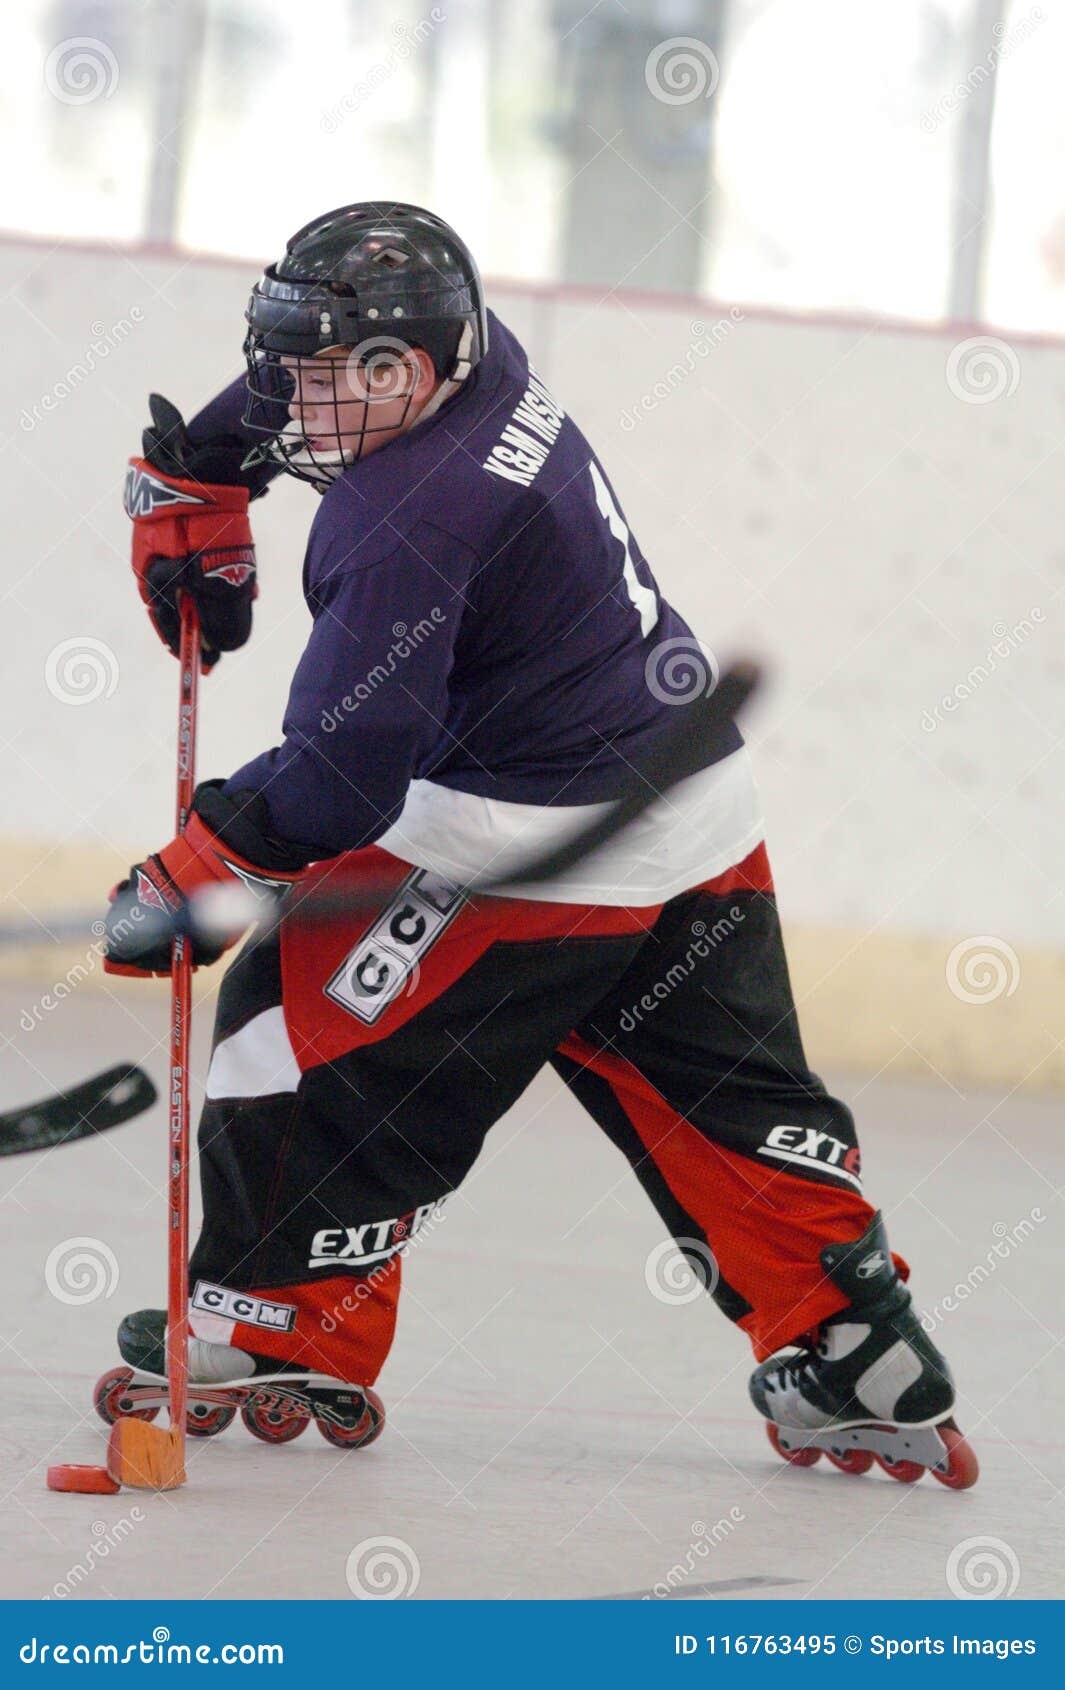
[(388, 957)]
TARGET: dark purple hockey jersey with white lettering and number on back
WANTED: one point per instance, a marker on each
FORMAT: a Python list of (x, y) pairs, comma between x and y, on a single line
[(484, 624)]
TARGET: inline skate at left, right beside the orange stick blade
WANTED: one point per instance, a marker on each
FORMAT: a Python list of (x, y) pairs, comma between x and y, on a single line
[(276, 1400)]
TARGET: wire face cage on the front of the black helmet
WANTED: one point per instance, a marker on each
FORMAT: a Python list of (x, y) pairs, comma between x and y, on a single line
[(349, 393)]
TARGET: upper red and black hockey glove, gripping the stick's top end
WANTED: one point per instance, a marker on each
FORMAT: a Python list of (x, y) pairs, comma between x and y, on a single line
[(192, 533)]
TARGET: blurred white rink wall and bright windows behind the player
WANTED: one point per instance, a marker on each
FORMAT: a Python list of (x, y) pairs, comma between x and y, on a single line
[(797, 271)]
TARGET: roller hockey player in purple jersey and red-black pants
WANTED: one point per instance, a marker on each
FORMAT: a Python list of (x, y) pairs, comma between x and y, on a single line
[(489, 653)]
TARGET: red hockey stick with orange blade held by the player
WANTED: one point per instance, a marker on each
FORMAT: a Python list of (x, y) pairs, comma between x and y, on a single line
[(141, 1454)]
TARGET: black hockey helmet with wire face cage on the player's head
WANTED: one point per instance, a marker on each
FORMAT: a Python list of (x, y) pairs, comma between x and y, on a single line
[(376, 278)]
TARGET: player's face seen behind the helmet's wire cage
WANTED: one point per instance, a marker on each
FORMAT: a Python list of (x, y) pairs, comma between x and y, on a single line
[(342, 403)]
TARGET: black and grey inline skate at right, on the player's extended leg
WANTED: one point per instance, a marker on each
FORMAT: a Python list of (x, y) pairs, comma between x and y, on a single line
[(870, 1385)]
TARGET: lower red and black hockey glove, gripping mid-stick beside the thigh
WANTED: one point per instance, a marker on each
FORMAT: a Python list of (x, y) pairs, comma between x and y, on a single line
[(190, 864)]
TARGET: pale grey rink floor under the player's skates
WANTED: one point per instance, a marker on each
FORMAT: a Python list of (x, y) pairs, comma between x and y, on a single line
[(555, 1431)]
